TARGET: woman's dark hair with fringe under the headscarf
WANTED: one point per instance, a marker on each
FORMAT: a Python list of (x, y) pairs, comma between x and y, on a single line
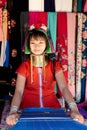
[(35, 33)]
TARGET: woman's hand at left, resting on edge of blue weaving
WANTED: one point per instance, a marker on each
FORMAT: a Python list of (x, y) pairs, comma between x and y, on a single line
[(12, 119)]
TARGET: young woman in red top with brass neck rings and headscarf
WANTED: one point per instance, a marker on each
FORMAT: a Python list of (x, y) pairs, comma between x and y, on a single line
[(36, 79)]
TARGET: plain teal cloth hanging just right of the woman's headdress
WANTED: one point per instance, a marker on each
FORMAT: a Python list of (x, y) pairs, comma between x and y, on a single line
[(52, 24)]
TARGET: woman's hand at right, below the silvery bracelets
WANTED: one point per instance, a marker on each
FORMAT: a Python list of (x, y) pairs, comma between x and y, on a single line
[(77, 116)]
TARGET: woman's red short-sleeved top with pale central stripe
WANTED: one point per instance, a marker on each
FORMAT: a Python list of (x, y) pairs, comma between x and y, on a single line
[(34, 94)]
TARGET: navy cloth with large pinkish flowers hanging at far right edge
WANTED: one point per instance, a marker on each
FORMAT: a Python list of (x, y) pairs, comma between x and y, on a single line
[(84, 57)]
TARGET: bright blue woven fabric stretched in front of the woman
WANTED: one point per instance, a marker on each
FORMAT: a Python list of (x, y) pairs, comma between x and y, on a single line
[(63, 122)]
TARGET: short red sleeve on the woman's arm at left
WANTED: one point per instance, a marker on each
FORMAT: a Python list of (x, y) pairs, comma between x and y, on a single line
[(23, 69)]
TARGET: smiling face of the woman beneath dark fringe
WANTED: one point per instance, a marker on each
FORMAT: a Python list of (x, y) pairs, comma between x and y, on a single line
[(37, 45)]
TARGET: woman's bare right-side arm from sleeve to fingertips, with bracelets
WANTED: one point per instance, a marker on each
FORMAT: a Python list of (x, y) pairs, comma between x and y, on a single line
[(68, 96)]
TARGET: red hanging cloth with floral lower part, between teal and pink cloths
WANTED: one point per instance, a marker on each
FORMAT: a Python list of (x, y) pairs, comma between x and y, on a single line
[(62, 41)]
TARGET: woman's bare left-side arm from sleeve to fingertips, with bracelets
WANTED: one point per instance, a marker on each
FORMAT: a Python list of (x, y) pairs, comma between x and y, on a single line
[(16, 101)]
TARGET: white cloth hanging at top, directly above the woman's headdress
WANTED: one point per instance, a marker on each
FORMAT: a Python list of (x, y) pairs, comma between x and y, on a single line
[(36, 6)]
